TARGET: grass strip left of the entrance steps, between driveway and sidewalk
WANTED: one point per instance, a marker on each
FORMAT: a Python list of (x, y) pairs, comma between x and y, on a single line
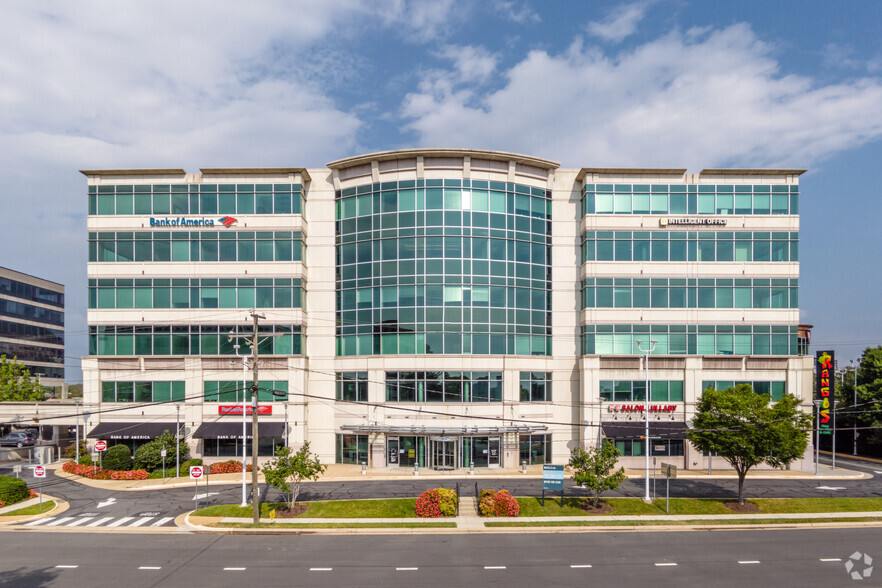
[(330, 509)]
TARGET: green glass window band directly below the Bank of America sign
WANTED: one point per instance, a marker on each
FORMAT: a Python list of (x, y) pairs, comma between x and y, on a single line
[(192, 246)]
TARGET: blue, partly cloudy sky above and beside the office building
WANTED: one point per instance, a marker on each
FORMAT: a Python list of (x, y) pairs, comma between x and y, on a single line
[(98, 84)]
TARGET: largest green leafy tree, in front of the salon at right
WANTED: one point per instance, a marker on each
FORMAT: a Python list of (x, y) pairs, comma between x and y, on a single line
[(742, 427)]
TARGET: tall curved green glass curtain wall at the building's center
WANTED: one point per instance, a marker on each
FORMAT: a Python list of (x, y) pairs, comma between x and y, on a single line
[(443, 267)]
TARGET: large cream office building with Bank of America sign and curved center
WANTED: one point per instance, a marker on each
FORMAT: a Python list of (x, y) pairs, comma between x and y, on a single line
[(445, 308)]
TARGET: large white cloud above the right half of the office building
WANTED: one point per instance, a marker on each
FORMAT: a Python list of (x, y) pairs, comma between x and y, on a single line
[(703, 100)]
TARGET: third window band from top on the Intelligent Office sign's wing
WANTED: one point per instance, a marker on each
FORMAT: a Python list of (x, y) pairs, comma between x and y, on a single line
[(690, 293)]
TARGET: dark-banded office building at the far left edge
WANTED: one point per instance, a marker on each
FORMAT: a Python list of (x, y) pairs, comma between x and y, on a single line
[(32, 325)]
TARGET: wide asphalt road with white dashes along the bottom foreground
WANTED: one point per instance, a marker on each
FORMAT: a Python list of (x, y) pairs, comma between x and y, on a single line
[(777, 558)]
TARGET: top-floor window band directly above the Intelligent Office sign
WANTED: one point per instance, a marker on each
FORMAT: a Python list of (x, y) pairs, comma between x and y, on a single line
[(682, 199)]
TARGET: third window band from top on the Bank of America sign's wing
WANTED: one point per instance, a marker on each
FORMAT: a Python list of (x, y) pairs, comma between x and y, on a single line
[(196, 293)]
